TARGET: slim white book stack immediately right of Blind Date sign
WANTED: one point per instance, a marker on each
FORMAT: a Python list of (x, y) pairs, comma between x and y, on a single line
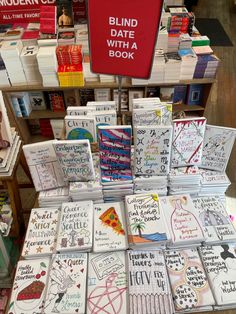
[(158, 68)]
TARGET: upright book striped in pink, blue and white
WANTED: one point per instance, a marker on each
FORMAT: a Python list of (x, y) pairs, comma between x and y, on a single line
[(115, 147)]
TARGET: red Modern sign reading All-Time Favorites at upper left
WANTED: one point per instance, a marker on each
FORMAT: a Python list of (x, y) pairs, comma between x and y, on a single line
[(18, 11)]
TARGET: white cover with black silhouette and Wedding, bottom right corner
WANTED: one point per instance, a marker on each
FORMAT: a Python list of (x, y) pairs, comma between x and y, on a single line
[(219, 262)]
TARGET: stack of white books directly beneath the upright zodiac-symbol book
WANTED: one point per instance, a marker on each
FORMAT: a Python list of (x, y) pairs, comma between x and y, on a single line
[(150, 183)]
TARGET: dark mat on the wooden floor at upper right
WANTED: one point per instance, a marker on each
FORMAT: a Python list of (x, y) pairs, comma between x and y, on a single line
[(214, 30)]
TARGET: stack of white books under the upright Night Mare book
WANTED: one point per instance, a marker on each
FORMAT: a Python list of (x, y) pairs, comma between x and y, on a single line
[(184, 180)]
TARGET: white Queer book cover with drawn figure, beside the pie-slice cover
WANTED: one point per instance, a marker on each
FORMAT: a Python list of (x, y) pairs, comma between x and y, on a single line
[(66, 288)]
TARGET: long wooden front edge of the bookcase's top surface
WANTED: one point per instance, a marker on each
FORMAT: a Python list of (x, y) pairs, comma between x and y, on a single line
[(104, 85)]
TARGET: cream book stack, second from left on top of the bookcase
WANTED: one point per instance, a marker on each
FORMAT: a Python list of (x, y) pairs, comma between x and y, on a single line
[(30, 65)]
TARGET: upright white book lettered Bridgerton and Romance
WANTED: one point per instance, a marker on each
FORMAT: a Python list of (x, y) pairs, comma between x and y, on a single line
[(75, 159)]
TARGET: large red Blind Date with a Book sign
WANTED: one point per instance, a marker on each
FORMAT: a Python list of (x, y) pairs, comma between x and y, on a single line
[(123, 36)]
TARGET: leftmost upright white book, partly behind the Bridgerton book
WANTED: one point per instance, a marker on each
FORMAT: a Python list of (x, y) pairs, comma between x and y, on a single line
[(43, 165)]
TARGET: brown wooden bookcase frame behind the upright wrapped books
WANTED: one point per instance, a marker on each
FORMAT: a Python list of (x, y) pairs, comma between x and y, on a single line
[(24, 129)]
